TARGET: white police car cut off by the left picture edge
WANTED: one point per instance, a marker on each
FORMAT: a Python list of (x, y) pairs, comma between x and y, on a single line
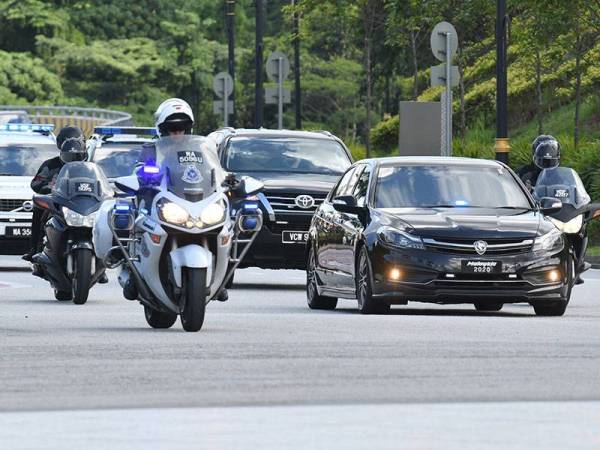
[(23, 148)]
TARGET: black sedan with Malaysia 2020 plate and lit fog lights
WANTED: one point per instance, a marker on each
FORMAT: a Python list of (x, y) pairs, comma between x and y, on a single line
[(438, 230)]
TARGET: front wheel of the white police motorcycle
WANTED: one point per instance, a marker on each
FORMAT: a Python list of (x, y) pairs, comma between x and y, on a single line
[(194, 295)]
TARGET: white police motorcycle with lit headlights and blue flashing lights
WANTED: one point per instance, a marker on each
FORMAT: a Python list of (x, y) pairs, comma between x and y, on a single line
[(174, 234)]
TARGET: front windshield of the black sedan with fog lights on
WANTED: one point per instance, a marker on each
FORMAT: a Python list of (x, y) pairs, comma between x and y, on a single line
[(449, 186)]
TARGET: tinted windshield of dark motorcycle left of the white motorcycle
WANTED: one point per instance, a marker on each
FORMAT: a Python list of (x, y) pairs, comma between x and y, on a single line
[(83, 183)]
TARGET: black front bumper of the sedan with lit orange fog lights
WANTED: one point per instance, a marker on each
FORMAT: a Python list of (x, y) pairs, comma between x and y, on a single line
[(435, 277)]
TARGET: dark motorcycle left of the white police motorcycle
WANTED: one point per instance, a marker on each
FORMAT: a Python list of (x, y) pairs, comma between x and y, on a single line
[(68, 260)]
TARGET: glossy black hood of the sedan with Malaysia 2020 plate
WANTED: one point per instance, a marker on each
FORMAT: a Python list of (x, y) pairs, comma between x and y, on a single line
[(476, 223)]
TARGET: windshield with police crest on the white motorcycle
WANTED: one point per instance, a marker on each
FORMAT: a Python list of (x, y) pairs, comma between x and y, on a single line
[(191, 166)]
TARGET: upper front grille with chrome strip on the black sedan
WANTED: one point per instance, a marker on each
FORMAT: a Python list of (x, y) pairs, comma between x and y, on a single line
[(467, 247)]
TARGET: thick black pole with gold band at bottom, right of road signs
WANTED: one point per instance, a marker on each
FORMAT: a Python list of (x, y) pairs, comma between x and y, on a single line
[(502, 141)]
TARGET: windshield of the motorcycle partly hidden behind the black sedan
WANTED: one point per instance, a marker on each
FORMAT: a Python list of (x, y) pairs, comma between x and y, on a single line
[(562, 183)]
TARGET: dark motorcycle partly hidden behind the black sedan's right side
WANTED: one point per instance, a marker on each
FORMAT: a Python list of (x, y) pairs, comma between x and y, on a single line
[(564, 184)]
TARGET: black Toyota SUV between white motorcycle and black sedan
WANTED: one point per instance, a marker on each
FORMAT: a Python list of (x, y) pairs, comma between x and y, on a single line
[(298, 170)]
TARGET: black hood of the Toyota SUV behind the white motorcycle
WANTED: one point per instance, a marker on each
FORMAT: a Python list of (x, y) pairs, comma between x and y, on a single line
[(301, 183)]
